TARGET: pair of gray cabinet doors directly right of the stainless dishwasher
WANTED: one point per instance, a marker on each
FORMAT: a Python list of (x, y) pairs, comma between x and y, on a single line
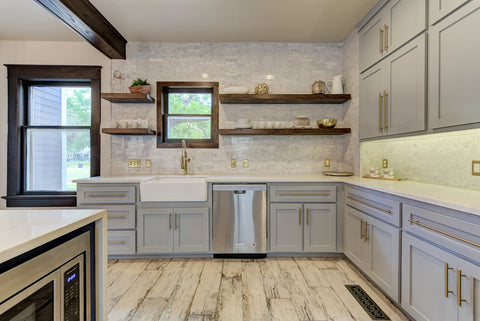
[(298, 227)]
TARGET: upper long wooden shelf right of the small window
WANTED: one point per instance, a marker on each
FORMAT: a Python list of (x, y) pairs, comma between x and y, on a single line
[(284, 99)]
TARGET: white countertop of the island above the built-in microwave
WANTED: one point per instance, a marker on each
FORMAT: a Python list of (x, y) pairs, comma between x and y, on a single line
[(24, 230)]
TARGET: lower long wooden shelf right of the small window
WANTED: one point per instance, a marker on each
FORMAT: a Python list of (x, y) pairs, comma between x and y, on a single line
[(286, 131)]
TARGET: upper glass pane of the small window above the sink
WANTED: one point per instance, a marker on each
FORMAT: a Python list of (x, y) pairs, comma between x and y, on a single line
[(193, 104)]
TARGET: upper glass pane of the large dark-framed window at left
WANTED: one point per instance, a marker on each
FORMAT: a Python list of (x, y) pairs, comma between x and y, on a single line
[(59, 106)]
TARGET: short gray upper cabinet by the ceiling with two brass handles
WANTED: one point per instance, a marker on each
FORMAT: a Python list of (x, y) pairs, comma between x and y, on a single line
[(394, 25)]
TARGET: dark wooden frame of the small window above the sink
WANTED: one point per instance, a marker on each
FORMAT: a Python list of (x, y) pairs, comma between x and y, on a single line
[(181, 86)]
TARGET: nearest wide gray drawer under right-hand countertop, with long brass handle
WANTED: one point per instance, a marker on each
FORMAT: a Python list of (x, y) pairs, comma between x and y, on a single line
[(455, 231)]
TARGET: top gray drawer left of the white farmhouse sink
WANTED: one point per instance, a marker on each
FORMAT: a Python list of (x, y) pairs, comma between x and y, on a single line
[(106, 194)]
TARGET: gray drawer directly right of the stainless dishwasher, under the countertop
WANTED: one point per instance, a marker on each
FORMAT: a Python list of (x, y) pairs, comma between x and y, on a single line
[(303, 193)]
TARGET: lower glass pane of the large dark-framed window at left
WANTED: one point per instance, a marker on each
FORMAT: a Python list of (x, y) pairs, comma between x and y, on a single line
[(55, 157)]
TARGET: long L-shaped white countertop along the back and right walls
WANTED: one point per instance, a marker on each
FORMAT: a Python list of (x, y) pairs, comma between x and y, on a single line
[(460, 199)]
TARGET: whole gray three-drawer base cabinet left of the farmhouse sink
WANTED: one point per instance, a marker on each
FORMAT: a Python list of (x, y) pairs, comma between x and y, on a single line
[(120, 202)]
